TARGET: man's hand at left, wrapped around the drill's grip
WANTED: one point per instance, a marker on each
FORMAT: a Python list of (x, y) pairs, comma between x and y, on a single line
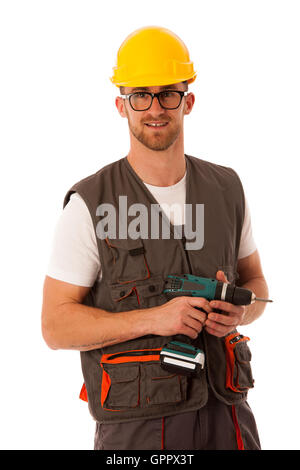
[(179, 316)]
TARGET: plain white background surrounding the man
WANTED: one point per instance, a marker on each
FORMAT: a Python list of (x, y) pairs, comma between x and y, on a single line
[(59, 124)]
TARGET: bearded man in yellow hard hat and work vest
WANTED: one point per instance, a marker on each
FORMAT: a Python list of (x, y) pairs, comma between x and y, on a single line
[(104, 289)]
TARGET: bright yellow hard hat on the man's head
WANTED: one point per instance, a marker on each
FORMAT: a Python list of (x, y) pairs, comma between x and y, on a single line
[(152, 56)]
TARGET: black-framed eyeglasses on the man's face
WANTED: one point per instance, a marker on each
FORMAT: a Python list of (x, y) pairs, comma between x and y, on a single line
[(142, 100)]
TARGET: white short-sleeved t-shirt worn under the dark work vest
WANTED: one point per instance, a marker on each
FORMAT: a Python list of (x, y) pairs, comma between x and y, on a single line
[(74, 257)]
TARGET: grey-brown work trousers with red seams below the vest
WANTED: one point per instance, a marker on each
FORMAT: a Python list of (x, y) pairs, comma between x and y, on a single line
[(216, 426)]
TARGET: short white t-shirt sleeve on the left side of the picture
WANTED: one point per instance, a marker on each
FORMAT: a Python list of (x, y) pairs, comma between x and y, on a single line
[(74, 256)]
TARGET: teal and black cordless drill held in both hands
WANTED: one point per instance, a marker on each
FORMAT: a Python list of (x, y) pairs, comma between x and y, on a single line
[(178, 355)]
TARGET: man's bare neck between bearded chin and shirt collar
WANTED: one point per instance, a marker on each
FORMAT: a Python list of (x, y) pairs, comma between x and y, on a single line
[(158, 168)]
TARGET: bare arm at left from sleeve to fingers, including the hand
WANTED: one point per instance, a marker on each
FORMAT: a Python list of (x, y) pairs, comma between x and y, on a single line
[(69, 324)]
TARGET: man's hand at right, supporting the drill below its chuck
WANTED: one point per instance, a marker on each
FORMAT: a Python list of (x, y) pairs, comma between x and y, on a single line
[(218, 324)]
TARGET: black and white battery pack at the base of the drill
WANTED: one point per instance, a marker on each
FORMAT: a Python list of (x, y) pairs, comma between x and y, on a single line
[(181, 358)]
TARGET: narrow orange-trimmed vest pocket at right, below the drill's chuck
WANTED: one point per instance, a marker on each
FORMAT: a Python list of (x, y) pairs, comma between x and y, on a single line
[(238, 368)]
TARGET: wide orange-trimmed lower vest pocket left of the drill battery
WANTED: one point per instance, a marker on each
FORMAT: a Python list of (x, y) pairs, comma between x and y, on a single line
[(134, 379)]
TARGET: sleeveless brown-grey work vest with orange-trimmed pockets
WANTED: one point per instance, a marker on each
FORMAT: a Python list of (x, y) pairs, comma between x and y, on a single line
[(125, 381)]
